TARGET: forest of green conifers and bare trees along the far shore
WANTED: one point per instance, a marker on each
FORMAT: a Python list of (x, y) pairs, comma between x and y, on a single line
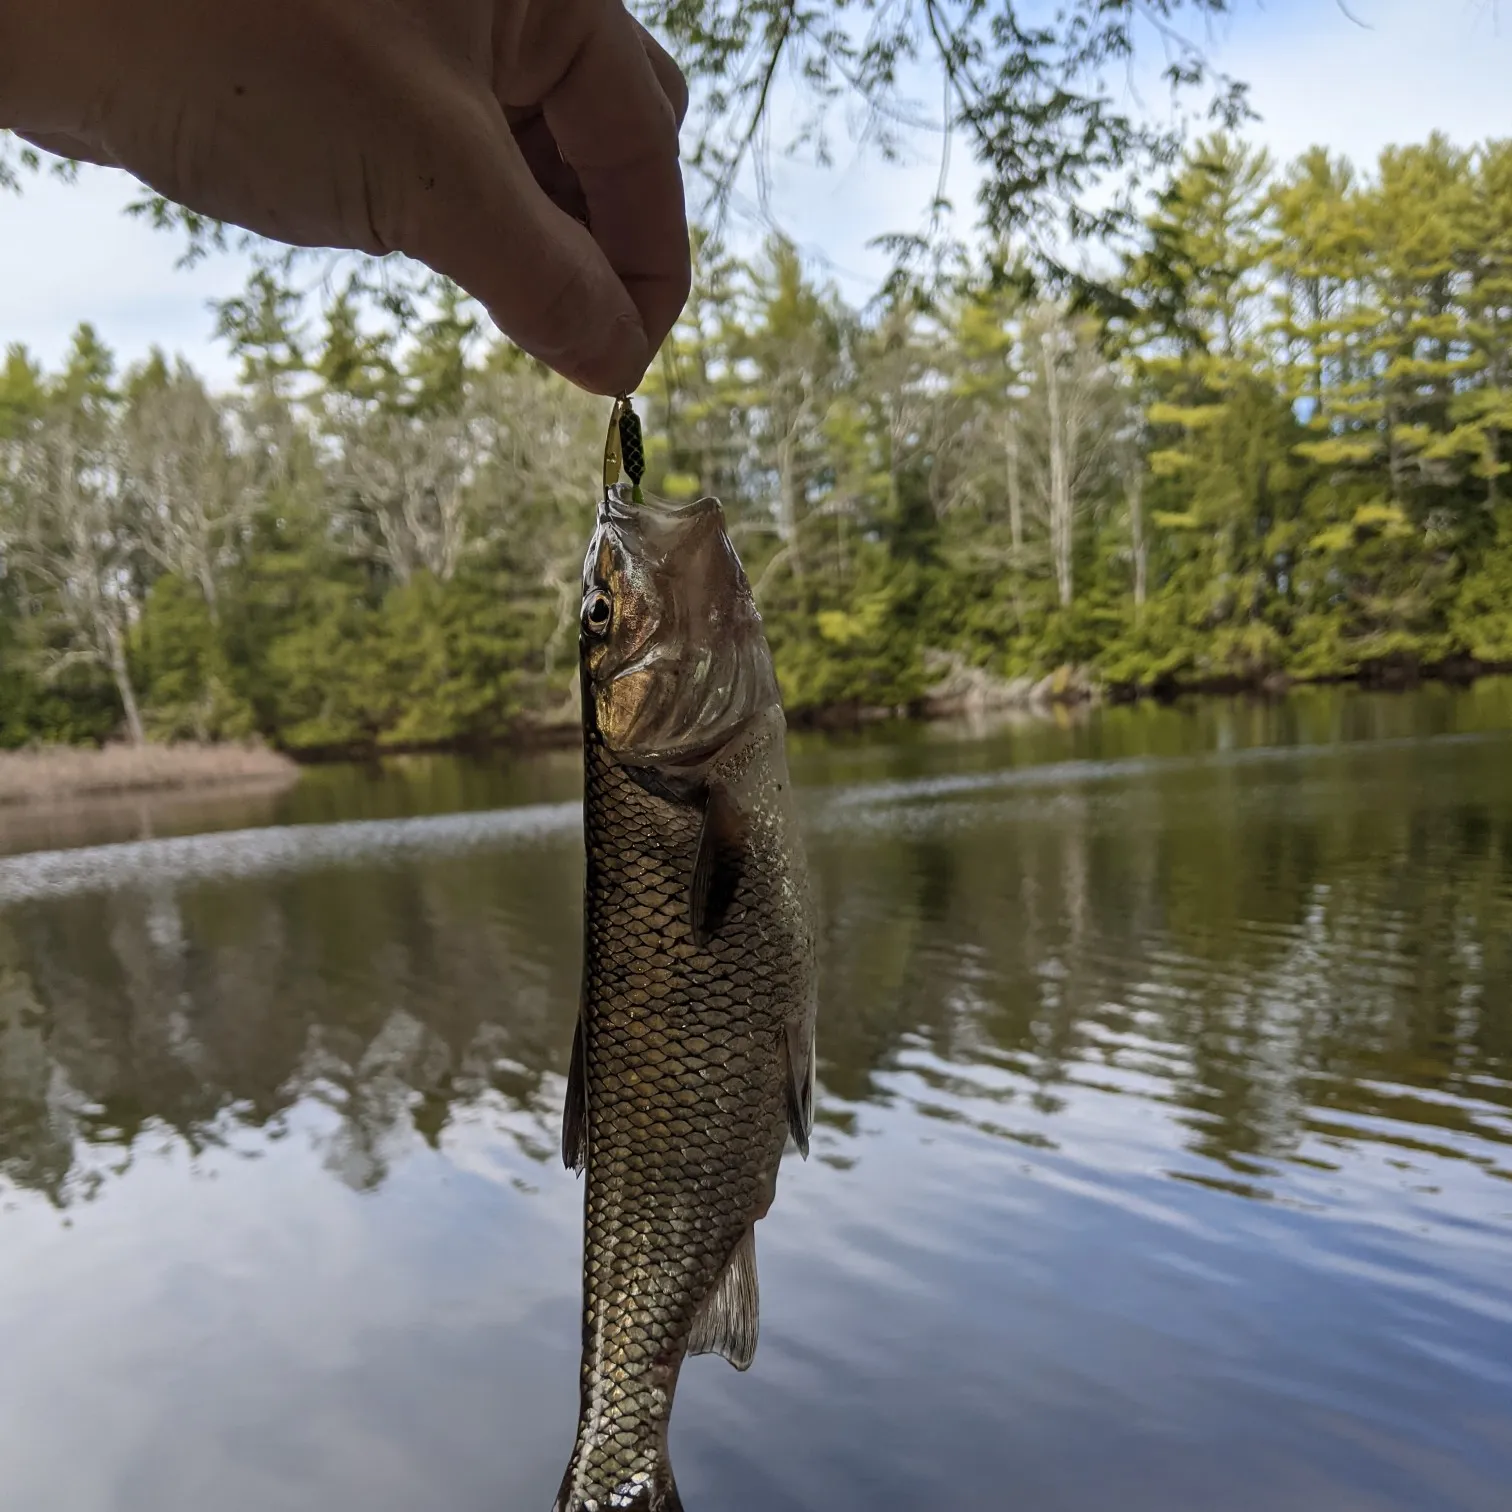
[(1265, 444)]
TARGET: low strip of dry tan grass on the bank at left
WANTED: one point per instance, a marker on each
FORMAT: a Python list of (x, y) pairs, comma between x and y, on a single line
[(58, 773)]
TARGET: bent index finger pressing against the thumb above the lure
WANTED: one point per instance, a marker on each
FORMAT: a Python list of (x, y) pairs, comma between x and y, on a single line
[(616, 126)]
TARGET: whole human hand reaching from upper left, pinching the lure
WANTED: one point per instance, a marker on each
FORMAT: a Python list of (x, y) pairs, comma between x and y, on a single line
[(472, 135)]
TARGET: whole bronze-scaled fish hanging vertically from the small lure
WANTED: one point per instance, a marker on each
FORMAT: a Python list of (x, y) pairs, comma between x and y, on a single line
[(693, 1058)]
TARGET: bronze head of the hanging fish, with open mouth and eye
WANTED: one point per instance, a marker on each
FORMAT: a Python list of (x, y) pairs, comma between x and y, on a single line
[(674, 655)]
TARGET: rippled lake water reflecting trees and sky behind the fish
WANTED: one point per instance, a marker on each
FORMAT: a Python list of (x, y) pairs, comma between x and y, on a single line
[(1165, 1153)]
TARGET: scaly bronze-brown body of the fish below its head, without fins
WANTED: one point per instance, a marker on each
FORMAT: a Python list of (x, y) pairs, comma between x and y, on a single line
[(689, 1108)]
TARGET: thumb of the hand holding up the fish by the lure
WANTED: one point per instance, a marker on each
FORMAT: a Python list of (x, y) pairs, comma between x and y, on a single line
[(479, 217)]
